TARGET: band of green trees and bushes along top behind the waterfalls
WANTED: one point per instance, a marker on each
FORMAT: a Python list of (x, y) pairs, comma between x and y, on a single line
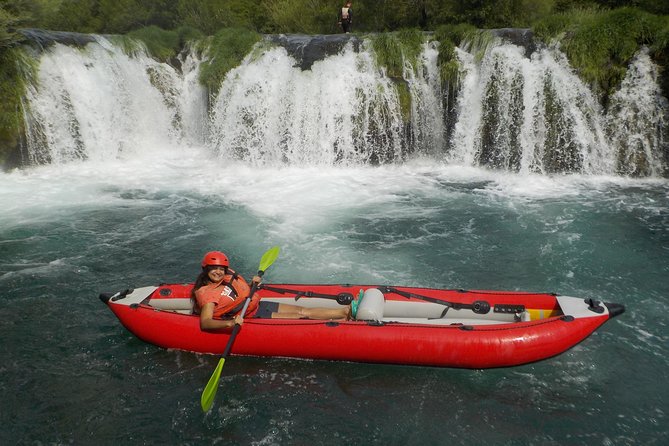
[(291, 16)]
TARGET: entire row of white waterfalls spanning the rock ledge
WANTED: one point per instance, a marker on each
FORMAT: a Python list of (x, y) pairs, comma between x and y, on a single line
[(515, 108)]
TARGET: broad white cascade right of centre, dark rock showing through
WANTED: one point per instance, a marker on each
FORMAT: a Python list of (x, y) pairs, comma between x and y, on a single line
[(527, 114)]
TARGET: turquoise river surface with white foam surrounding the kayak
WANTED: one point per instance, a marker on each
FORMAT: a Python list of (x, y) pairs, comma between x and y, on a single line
[(71, 374)]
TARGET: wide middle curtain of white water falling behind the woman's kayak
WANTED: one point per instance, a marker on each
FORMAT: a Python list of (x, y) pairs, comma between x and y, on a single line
[(342, 110)]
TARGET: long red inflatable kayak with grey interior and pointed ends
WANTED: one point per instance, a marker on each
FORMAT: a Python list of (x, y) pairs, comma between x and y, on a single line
[(396, 325)]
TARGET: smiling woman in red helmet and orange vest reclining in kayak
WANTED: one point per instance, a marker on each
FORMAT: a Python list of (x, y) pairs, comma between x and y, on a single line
[(220, 292)]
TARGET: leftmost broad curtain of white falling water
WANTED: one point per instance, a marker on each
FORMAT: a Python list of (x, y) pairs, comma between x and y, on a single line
[(99, 103)]
